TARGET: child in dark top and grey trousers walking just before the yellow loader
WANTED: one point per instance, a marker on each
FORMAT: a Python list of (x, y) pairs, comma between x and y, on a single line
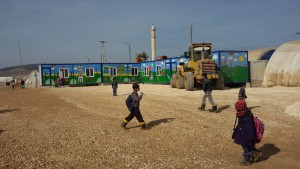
[(207, 88)]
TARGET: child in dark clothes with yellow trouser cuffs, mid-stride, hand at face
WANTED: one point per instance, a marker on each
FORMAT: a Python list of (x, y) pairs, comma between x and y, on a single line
[(136, 108)]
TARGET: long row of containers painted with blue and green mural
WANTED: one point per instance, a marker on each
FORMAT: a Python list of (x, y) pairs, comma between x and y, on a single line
[(233, 65)]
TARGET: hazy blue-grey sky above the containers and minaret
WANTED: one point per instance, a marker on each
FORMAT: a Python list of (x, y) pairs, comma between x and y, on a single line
[(69, 31)]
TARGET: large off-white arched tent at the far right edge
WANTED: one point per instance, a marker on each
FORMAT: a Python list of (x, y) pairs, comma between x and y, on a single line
[(283, 68)]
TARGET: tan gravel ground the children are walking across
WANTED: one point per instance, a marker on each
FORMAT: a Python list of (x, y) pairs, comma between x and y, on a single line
[(80, 128)]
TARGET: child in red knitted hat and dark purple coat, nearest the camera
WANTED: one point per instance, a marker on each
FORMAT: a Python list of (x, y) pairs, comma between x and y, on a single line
[(245, 133)]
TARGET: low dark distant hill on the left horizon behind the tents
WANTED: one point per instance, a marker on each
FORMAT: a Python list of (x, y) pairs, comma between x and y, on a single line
[(15, 71)]
